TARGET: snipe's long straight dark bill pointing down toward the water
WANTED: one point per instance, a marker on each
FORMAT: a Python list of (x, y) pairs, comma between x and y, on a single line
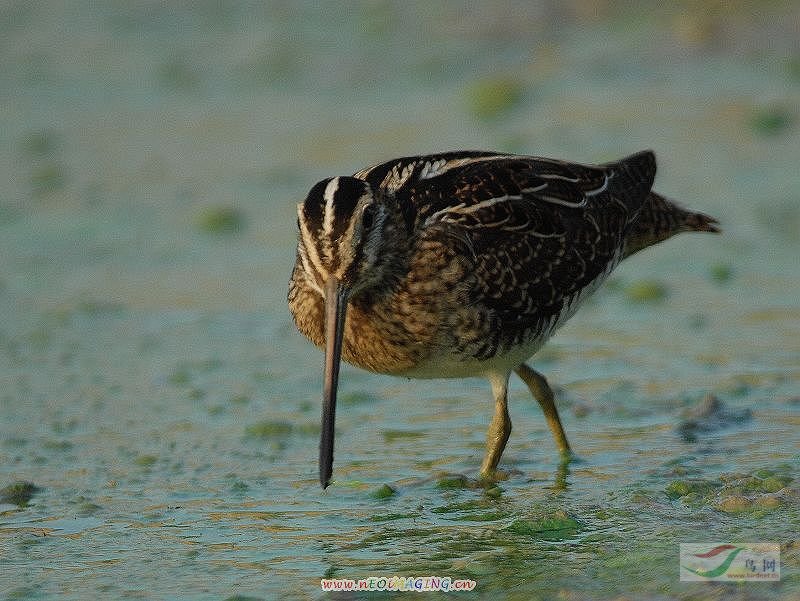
[(335, 308)]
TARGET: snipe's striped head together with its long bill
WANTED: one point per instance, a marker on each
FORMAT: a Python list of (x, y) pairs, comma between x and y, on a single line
[(347, 233)]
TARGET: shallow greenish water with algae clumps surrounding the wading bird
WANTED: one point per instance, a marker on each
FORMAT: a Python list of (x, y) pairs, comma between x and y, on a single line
[(155, 391)]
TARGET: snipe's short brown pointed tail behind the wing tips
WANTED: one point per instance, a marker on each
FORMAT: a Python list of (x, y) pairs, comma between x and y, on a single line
[(661, 218)]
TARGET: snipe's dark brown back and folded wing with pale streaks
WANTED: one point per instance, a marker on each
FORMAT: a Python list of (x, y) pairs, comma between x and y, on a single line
[(532, 237)]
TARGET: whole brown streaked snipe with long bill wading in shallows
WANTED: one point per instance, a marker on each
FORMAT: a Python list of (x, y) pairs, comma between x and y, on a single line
[(464, 264)]
